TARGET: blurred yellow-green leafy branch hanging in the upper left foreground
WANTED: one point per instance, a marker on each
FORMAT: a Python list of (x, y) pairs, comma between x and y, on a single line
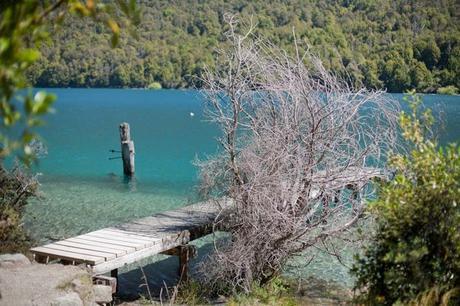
[(23, 30)]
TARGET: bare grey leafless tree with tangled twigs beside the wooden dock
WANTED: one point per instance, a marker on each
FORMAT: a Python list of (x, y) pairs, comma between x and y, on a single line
[(297, 146)]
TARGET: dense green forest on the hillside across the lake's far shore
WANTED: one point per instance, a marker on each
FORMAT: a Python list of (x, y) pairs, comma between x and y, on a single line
[(392, 44)]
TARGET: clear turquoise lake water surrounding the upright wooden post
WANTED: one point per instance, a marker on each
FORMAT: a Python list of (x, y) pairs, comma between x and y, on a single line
[(84, 190)]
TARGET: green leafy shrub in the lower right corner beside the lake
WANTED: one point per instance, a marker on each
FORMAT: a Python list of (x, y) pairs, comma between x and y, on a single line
[(415, 255)]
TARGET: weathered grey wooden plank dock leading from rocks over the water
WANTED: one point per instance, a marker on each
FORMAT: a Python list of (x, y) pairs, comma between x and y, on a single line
[(111, 248)]
